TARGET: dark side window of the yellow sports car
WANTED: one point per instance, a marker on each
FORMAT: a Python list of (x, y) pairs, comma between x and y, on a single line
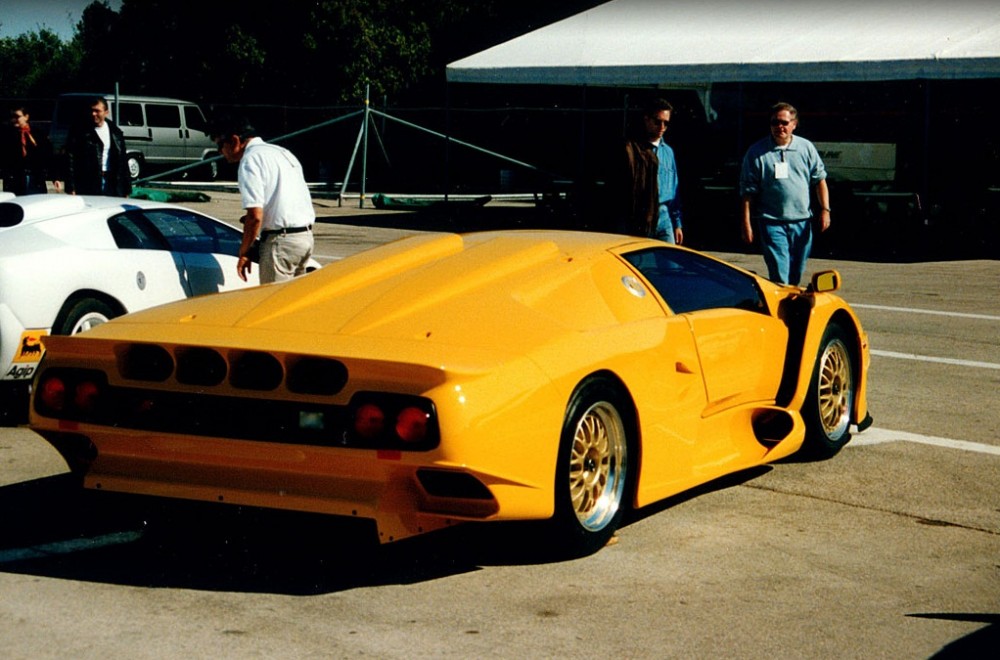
[(689, 282)]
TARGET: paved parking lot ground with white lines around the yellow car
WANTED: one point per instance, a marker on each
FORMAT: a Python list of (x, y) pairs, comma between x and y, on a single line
[(890, 549)]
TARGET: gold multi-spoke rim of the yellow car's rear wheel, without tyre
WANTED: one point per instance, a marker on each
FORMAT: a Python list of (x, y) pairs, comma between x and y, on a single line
[(597, 466)]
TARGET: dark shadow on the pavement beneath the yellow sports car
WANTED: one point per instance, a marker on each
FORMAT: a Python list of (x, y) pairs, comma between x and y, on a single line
[(53, 528)]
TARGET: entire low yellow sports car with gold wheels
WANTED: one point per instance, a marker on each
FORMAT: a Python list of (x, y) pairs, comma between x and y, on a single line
[(557, 376)]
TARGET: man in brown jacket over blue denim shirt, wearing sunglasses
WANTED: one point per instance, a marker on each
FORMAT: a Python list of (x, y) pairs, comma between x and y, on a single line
[(652, 203)]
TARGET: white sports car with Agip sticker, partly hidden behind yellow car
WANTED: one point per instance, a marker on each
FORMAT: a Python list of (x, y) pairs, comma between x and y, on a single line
[(69, 262)]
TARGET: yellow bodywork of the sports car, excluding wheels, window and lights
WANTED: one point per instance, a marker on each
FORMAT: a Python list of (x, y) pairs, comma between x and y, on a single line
[(497, 330)]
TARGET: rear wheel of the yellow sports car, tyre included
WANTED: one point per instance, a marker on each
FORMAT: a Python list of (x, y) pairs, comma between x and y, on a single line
[(593, 469)]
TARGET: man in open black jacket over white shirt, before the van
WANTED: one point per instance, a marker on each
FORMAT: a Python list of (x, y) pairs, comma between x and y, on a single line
[(95, 156)]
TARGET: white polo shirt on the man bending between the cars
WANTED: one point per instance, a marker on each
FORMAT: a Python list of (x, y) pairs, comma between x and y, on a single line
[(271, 178)]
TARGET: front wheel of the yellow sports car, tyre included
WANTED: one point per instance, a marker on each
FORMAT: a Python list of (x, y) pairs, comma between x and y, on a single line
[(827, 410)]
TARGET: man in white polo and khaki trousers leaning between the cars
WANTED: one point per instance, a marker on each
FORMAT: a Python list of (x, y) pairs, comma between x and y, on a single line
[(276, 199)]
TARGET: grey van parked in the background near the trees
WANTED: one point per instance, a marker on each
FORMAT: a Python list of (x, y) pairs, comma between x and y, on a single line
[(158, 131)]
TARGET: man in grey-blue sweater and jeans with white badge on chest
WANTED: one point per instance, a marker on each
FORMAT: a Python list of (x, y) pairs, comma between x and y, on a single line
[(776, 181)]
